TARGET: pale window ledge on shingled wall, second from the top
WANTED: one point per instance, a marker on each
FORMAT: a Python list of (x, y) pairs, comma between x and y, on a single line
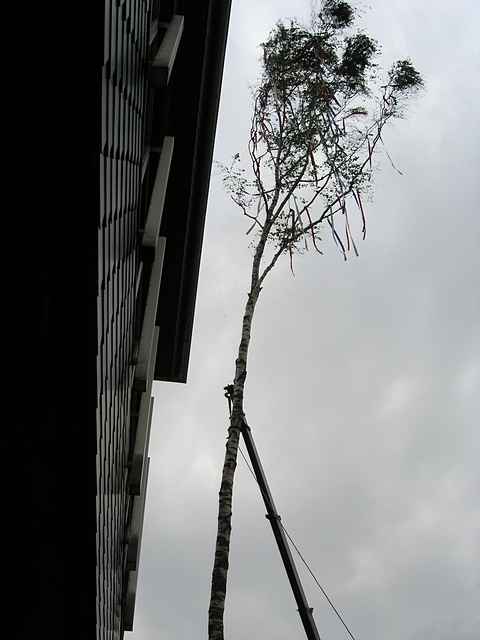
[(157, 202)]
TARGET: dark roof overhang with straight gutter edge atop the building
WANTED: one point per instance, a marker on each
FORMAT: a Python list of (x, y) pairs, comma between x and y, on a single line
[(189, 113)]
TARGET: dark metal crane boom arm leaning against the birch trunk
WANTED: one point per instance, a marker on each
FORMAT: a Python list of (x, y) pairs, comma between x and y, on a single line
[(306, 613)]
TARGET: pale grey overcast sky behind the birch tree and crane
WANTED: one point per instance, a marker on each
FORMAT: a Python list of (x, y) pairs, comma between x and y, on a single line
[(363, 383)]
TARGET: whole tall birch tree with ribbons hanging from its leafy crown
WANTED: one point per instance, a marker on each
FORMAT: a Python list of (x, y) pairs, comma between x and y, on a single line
[(318, 116)]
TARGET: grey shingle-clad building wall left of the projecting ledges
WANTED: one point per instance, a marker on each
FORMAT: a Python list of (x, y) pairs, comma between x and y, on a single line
[(126, 181)]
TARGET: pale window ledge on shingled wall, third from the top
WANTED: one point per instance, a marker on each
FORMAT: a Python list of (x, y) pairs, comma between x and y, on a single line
[(146, 351)]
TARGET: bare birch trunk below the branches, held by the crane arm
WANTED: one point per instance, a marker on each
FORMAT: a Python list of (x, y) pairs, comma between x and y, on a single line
[(222, 548)]
